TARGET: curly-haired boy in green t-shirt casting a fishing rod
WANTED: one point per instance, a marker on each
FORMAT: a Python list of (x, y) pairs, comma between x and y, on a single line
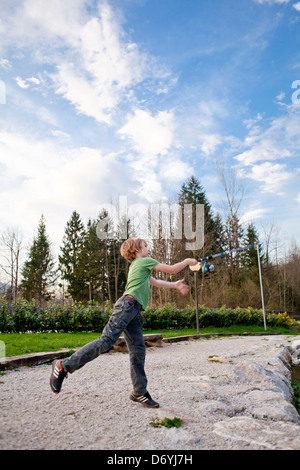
[(126, 318)]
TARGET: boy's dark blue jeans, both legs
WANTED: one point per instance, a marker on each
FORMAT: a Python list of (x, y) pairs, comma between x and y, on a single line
[(125, 318)]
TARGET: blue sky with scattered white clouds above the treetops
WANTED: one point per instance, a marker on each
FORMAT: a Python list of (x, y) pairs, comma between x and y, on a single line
[(102, 99)]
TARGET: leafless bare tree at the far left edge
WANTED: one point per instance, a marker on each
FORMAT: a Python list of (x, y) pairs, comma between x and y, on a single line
[(11, 241)]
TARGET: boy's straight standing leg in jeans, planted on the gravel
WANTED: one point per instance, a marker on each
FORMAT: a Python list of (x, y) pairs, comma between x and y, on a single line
[(134, 338)]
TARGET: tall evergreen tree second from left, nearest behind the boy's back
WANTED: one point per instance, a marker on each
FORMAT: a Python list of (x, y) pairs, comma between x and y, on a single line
[(71, 260)]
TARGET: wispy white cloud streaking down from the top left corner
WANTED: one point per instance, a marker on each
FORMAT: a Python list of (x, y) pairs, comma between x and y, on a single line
[(96, 65)]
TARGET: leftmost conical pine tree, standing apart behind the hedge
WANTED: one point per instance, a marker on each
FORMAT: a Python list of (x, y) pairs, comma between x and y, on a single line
[(39, 273)]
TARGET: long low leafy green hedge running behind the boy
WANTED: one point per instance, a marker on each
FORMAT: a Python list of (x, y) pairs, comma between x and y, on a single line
[(24, 316)]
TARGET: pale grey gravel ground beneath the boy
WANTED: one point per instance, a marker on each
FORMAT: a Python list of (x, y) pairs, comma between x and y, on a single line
[(231, 393)]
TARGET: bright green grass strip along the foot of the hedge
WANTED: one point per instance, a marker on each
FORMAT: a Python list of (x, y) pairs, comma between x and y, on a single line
[(17, 344)]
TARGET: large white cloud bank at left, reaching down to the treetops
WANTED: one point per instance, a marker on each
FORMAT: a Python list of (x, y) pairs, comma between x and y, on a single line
[(42, 177)]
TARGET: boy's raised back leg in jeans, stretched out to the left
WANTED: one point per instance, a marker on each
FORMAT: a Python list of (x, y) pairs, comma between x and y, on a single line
[(123, 313)]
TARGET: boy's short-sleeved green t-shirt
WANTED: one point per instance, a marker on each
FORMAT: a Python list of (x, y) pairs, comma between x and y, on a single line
[(138, 282)]
